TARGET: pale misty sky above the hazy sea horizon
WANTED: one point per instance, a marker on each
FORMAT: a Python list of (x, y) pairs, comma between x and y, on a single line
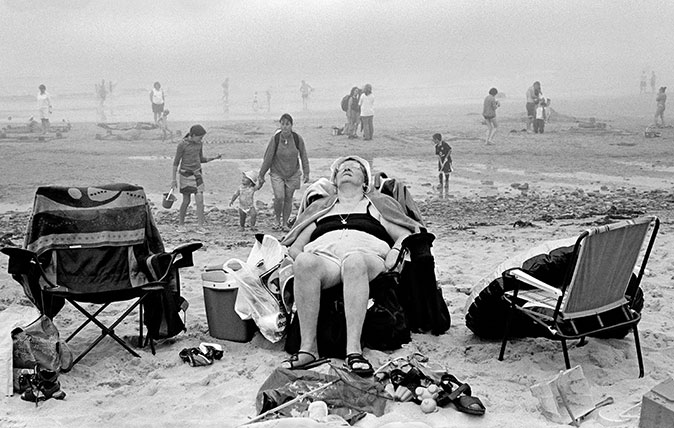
[(579, 43)]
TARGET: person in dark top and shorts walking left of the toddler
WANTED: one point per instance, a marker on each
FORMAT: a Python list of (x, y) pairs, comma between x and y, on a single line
[(188, 160)]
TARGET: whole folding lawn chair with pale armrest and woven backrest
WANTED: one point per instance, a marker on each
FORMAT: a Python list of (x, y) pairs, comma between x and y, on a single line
[(592, 298)]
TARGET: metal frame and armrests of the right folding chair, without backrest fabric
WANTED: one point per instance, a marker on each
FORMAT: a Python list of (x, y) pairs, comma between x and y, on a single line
[(557, 326)]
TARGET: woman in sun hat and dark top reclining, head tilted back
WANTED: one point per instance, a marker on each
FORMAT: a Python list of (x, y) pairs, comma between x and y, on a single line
[(349, 238)]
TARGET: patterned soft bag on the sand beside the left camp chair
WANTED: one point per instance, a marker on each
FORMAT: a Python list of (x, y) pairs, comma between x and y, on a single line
[(39, 344)]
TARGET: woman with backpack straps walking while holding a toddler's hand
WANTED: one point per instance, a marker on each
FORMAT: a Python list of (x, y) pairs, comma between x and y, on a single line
[(287, 161)]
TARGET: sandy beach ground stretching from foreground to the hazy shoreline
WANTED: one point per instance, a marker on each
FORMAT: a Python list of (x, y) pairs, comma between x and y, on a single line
[(574, 176)]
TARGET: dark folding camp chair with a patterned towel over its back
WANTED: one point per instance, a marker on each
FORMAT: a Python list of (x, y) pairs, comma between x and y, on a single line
[(95, 245)]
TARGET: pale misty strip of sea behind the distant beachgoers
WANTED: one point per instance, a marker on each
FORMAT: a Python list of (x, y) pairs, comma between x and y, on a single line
[(190, 97)]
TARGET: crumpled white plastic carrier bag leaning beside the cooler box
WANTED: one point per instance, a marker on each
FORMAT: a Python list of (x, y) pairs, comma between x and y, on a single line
[(255, 301)]
